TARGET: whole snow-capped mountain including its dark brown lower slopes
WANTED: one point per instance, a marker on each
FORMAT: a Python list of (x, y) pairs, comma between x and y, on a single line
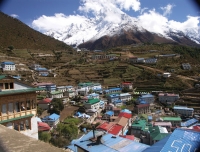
[(85, 31)]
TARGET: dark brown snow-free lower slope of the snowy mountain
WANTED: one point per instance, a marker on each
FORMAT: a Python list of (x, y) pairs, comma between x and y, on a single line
[(131, 37)]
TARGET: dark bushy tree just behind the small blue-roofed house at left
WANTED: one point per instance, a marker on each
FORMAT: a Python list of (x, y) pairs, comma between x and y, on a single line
[(56, 106)]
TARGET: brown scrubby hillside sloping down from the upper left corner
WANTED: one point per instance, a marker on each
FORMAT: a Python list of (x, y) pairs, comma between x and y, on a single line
[(17, 34)]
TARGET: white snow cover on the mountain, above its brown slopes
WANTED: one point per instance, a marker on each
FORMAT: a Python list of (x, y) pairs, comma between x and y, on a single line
[(82, 29)]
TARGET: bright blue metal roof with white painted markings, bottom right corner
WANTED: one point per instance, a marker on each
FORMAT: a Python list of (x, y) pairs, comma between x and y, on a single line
[(182, 141)]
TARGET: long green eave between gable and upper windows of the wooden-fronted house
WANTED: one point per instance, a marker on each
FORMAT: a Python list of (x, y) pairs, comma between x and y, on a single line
[(20, 91)]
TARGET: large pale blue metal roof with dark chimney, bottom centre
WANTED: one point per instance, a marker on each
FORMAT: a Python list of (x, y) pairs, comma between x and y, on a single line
[(109, 144)]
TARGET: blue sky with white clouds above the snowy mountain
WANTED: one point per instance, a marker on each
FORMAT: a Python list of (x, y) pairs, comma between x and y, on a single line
[(43, 15)]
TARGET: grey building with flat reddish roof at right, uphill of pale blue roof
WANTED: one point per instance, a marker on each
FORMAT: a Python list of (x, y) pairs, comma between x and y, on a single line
[(167, 98)]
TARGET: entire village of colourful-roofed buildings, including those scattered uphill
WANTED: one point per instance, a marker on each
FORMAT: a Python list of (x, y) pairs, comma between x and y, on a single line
[(114, 118)]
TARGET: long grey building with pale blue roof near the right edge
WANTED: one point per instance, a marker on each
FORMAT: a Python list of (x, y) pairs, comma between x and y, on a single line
[(183, 111)]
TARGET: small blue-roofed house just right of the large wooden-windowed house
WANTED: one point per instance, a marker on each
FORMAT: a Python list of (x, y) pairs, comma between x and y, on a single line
[(52, 120)]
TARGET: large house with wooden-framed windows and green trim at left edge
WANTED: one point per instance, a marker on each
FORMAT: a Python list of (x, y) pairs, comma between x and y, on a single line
[(18, 106)]
